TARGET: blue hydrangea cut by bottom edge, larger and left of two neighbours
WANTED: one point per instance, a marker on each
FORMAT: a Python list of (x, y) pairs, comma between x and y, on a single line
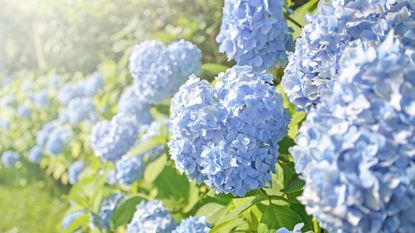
[(151, 217)]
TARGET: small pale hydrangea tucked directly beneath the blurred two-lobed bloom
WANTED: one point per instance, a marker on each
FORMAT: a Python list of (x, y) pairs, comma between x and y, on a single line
[(131, 103)]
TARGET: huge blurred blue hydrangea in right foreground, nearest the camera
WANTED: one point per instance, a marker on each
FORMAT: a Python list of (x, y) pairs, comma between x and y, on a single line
[(356, 150)]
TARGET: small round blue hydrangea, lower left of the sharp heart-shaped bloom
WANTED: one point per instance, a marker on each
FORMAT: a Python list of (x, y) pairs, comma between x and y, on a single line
[(129, 169)]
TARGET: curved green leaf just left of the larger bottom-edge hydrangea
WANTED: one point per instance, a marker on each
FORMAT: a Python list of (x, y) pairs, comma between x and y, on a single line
[(125, 211)]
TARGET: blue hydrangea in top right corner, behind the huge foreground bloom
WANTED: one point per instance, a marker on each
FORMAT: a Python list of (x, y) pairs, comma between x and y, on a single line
[(314, 65)]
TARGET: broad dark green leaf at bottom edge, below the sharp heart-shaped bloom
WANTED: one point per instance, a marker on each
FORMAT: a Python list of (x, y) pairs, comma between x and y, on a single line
[(276, 216)]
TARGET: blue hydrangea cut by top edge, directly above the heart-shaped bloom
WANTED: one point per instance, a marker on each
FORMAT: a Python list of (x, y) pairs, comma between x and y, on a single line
[(255, 33)]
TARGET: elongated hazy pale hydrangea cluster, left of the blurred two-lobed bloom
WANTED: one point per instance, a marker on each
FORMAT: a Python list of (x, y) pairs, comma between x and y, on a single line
[(85, 88)]
